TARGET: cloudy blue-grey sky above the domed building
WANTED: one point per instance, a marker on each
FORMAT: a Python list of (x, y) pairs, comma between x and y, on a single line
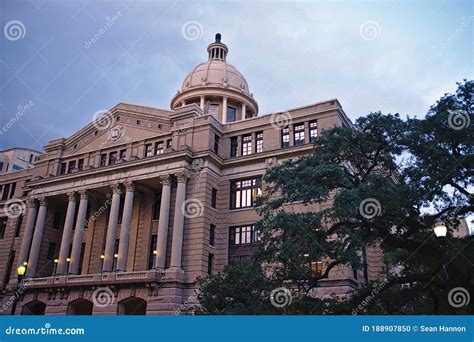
[(371, 56)]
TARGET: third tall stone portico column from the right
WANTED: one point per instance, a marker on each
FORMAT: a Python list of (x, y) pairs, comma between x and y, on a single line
[(125, 227)]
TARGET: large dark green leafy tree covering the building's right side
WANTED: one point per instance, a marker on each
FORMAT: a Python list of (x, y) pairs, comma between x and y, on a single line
[(372, 184)]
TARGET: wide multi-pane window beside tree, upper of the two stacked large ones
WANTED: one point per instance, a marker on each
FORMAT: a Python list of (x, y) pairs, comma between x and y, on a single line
[(244, 193)]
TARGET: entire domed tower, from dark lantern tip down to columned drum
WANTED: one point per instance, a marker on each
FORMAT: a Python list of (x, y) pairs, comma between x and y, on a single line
[(217, 87)]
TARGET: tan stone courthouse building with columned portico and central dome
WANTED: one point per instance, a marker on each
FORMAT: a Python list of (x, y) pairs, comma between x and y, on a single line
[(123, 216)]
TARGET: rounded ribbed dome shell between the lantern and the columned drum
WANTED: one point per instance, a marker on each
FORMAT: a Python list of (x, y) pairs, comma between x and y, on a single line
[(216, 73)]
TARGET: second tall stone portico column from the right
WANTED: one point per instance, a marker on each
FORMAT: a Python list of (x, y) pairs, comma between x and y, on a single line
[(163, 223)]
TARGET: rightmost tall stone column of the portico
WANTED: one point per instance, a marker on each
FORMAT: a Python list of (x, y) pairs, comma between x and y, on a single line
[(178, 227)]
